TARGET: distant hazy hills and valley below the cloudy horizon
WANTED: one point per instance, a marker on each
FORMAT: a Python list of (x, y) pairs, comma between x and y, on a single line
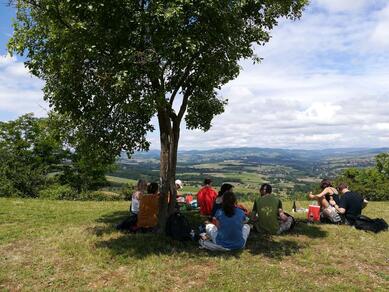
[(313, 163)]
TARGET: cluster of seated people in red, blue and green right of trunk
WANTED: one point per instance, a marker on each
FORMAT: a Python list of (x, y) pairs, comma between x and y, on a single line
[(229, 223)]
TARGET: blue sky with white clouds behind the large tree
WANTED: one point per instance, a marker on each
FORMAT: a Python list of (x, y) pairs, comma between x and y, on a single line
[(323, 83)]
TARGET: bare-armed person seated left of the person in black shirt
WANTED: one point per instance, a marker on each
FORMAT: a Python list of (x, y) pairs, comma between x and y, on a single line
[(329, 196)]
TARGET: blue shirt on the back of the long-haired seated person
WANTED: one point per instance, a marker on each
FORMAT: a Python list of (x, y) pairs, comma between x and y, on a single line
[(230, 233)]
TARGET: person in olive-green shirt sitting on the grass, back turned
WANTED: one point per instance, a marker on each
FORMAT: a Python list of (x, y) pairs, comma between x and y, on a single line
[(267, 213)]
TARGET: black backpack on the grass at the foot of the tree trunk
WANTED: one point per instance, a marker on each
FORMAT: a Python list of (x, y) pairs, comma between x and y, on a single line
[(178, 228)]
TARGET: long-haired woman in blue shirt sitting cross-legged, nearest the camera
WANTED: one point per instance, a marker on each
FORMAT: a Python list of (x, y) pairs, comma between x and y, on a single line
[(229, 230)]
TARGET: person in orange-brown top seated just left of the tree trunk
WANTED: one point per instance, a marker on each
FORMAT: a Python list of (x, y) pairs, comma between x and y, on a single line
[(148, 207)]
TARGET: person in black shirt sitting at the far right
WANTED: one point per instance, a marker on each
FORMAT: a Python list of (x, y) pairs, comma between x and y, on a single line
[(350, 205)]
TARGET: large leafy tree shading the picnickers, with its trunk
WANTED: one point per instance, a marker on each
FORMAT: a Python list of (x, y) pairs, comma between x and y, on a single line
[(113, 64)]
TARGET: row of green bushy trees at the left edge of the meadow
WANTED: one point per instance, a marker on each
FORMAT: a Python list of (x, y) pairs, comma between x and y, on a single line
[(39, 155)]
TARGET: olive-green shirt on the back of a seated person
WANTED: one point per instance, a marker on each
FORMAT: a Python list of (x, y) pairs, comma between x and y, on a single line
[(267, 209)]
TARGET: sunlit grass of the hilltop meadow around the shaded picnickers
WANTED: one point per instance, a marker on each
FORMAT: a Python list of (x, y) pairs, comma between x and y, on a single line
[(64, 245)]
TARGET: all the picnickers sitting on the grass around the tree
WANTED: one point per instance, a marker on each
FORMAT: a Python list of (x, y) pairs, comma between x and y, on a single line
[(228, 224)]
